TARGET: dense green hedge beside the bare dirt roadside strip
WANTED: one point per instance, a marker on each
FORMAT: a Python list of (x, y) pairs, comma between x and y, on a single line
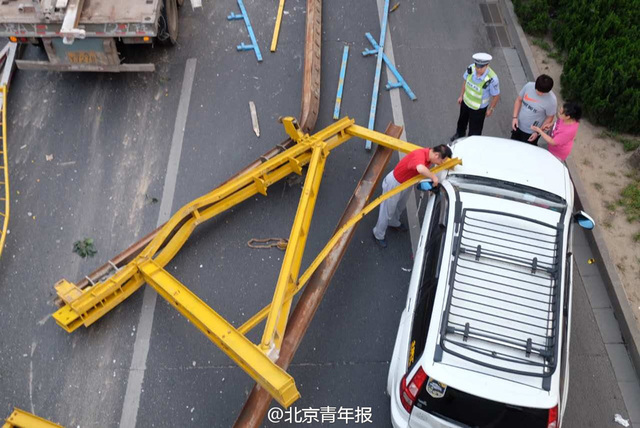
[(601, 51)]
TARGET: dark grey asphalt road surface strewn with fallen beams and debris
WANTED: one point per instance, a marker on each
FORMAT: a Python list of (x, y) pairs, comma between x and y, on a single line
[(110, 137)]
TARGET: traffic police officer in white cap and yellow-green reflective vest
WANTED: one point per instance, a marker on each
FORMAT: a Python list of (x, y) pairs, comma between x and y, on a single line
[(478, 97)]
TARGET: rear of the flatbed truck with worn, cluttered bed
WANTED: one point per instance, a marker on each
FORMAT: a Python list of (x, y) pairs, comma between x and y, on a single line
[(84, 35)]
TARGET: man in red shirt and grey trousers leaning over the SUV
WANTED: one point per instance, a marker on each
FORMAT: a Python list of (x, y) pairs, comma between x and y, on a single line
[(417, 162)]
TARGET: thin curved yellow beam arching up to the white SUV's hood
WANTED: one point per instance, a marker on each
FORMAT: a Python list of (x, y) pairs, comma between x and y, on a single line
[(262, 314)]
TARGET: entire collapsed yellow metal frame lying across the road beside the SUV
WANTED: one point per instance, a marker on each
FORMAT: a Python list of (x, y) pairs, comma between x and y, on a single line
[(84, 307)]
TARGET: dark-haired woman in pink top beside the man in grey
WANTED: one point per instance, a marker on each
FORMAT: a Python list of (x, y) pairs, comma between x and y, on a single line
[(560, 140)]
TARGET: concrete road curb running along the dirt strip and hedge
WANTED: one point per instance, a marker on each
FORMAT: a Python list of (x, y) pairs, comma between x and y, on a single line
[(622, 308)]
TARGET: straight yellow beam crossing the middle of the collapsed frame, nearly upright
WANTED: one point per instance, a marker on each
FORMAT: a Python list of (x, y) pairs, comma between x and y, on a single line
[(277, 319)]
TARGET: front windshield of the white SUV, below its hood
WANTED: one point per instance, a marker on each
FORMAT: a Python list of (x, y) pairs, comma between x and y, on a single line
[(507, 190)]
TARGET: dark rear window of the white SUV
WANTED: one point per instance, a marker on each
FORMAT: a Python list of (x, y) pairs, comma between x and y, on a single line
[(457, 406)]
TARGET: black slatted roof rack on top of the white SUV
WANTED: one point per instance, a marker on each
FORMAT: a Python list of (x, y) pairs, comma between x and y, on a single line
[(503, 304)]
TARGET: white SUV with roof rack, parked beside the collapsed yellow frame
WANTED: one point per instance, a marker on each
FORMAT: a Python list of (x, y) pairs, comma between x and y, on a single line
[(484, 337)]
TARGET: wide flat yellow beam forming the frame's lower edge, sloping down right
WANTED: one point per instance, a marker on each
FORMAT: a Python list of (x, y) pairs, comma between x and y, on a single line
[(247, 355)]
